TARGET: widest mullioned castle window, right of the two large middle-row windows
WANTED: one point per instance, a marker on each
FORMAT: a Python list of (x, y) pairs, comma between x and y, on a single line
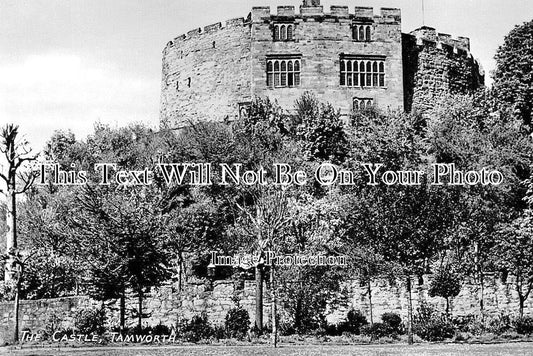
[(358, 72)]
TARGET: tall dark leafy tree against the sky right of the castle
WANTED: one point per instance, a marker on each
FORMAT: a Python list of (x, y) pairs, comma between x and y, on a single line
[(513, 77)]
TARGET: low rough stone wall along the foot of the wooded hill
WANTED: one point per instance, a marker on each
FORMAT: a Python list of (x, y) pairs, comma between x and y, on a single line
[(166, 305)]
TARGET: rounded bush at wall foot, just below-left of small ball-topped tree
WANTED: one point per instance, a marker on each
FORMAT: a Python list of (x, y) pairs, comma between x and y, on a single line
[(432, 326)]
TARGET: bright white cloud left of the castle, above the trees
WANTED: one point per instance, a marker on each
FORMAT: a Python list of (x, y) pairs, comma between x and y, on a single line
[(65, 91)]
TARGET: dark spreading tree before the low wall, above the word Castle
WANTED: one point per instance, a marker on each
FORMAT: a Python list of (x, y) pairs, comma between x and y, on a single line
[(128, 228)]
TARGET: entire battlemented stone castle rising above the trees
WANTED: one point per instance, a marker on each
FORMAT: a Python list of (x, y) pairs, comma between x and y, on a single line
[(352, 60)]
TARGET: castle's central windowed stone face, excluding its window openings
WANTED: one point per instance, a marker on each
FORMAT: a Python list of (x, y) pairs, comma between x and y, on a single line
[(320, 40)]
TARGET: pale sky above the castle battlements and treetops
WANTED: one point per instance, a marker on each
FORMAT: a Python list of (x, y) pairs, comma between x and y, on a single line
[(68, 64)]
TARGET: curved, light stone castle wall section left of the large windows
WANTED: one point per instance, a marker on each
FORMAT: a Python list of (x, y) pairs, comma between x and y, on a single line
[(206, 73)]
